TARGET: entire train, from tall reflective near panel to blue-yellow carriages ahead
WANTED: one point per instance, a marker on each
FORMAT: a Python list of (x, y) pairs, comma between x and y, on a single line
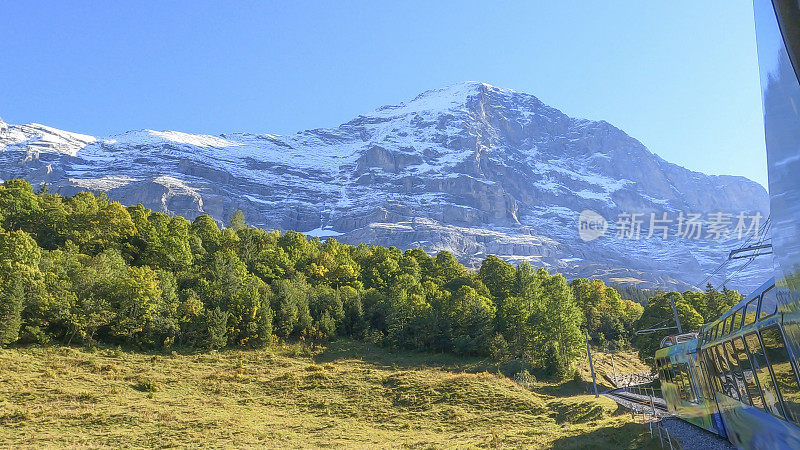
[(744, 366)]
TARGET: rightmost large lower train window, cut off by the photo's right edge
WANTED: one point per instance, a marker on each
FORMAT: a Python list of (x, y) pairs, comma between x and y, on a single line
[(781, 365)]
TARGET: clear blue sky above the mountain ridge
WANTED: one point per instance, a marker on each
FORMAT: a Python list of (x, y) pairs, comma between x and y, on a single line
[(681, 76)]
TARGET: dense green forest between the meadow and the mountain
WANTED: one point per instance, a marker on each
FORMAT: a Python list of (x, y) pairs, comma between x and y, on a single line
[(85, 270)]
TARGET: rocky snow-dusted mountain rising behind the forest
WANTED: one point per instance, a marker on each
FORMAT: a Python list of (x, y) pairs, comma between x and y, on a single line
[(470, 168)]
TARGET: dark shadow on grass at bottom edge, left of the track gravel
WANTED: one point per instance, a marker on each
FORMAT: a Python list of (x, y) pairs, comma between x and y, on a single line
[(627, 436)]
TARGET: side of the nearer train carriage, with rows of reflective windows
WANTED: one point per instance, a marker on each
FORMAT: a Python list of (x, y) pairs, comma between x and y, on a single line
[(749, 368)]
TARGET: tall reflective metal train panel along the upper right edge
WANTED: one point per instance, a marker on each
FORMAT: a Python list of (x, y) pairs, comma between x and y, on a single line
[(778, 42)]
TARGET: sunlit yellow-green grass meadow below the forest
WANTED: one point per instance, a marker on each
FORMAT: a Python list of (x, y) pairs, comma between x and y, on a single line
[(349, 394)]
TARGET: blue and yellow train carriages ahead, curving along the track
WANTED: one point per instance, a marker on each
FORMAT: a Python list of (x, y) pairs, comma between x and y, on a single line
[(737, 377)]
